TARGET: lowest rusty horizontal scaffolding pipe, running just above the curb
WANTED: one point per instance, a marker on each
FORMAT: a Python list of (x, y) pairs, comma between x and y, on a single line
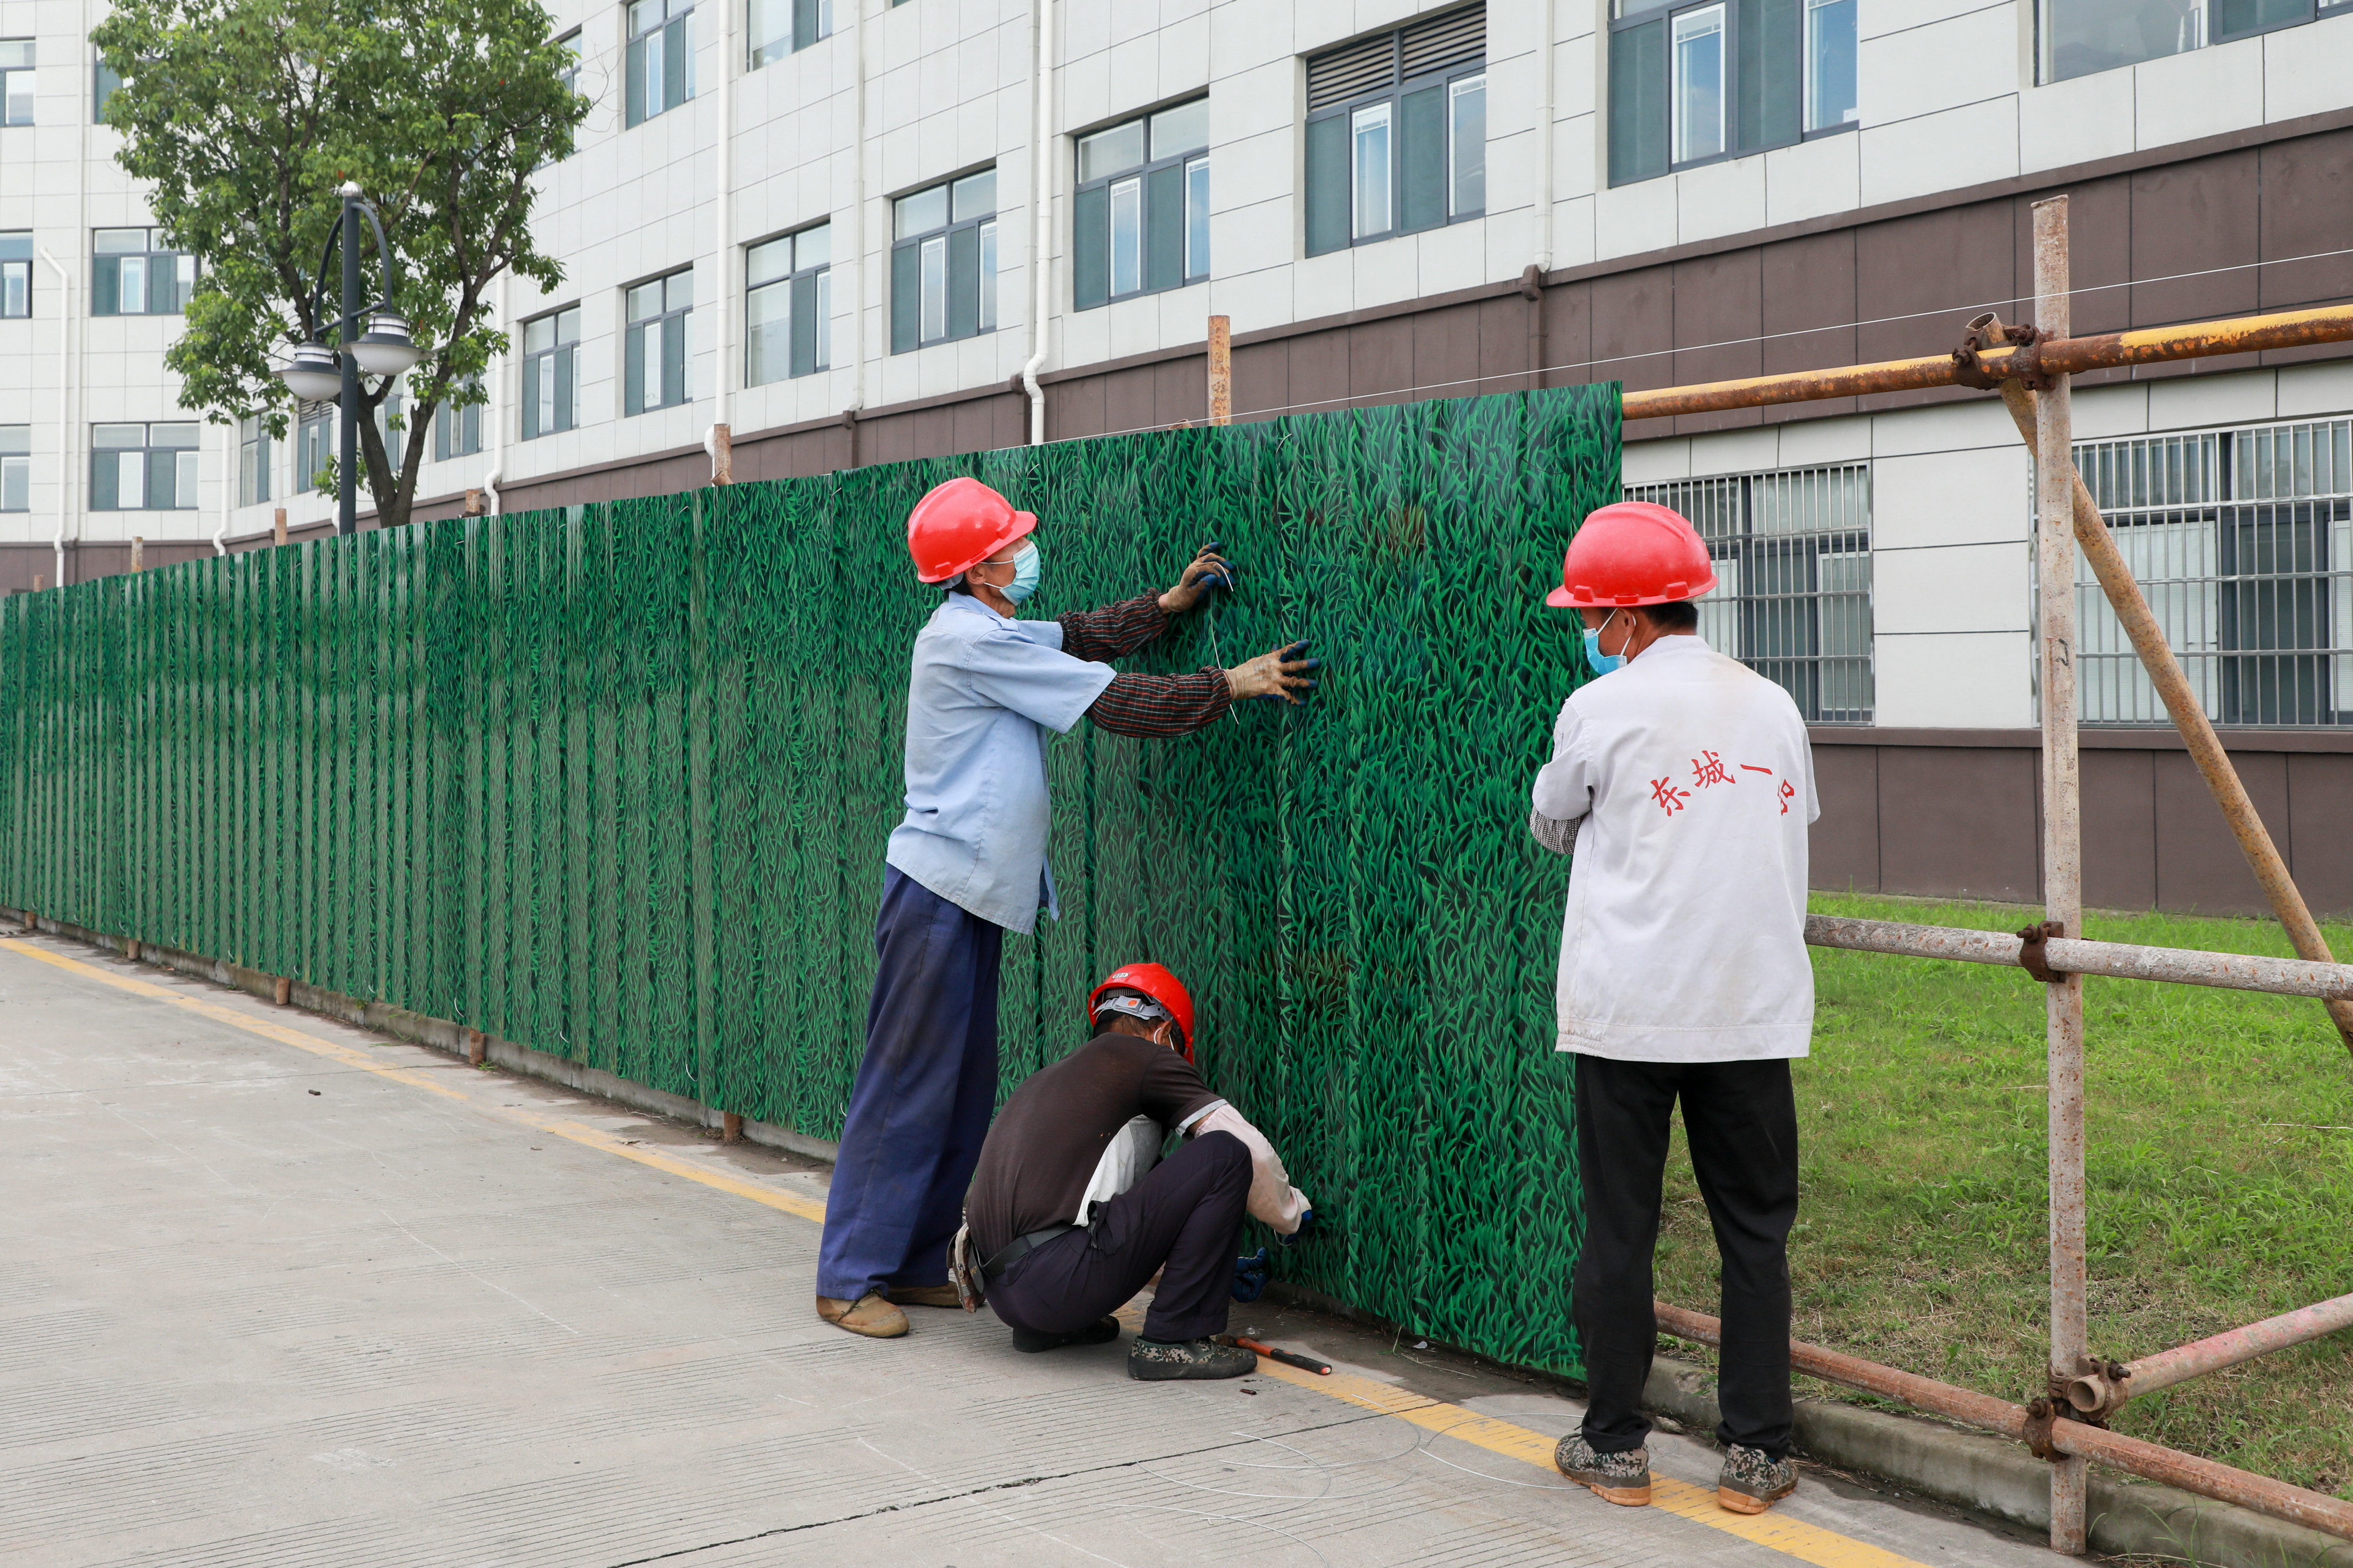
[(2067, 1437)]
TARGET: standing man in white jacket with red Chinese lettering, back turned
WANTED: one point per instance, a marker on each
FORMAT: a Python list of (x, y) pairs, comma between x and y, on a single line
[(1684, 785)]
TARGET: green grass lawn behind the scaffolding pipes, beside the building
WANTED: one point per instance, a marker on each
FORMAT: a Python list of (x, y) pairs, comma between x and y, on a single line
[(2220, 1183)]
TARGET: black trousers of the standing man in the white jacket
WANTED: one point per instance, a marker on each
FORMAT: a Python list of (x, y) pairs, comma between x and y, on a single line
[(1742, 1124)]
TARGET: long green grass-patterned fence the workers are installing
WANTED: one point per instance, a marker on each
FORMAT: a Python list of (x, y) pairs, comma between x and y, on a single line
[(615, 783)]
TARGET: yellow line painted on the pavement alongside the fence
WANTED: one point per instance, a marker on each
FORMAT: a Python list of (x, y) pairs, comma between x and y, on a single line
[(1695, 1503)]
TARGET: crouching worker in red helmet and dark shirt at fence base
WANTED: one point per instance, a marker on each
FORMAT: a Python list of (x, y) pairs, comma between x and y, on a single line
[(1072, 1207)]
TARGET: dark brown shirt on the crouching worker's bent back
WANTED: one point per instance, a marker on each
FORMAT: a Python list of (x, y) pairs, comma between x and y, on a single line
[(1053, 1134)]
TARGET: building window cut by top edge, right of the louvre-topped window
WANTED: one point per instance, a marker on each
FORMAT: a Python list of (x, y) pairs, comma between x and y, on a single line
[(1726, 79)]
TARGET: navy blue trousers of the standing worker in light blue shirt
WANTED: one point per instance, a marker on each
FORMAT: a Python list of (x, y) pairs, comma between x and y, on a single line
[(924, 1096)]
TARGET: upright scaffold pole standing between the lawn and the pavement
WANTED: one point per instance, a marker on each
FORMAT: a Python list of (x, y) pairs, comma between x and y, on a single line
[(2062, 849)]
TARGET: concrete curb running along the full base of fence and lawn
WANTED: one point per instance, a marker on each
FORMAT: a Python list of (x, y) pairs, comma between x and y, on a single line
[(1947, 1463)]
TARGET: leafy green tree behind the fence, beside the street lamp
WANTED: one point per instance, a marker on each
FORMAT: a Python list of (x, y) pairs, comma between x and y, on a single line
[(246, 117)]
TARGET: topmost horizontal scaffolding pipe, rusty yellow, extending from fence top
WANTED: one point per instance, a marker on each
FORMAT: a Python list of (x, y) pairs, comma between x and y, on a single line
[(2060, 357)]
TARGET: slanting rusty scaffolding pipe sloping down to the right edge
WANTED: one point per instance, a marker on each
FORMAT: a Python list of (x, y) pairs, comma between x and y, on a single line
[(2185, 707)]
